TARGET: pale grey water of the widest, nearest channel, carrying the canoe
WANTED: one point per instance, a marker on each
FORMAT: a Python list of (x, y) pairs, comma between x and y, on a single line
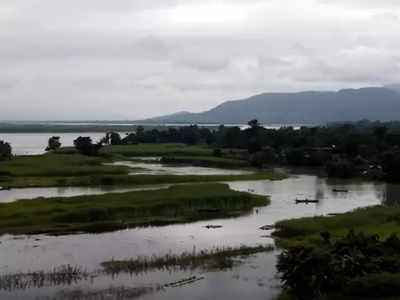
[(254, 278)]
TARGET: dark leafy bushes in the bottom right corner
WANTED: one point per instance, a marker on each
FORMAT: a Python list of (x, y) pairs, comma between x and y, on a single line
[(356, 265)]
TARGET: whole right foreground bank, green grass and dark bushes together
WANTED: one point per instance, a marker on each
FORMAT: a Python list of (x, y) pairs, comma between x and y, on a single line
[(349, 256)]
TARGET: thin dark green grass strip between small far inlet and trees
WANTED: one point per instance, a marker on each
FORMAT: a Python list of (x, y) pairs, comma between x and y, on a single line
[(207, 161)]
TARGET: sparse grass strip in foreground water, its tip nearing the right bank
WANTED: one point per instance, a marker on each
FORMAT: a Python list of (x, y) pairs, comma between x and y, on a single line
[(206, 260)]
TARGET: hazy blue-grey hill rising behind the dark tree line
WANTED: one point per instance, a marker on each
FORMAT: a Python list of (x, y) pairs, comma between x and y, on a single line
[(304, 107)]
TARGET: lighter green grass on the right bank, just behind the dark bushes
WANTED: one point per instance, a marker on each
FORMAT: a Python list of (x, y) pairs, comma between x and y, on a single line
[(379, 220)]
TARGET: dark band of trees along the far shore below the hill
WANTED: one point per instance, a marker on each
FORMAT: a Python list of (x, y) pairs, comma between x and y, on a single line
[(363, 148)]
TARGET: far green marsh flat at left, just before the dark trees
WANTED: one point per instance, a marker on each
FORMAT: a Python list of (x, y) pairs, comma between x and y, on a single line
[(65, 167)]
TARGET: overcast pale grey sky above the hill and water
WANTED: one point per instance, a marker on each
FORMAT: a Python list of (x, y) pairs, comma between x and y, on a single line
[(130, 59)]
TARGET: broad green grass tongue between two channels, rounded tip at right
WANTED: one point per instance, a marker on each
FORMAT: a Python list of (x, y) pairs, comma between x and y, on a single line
[(101, 213)]
